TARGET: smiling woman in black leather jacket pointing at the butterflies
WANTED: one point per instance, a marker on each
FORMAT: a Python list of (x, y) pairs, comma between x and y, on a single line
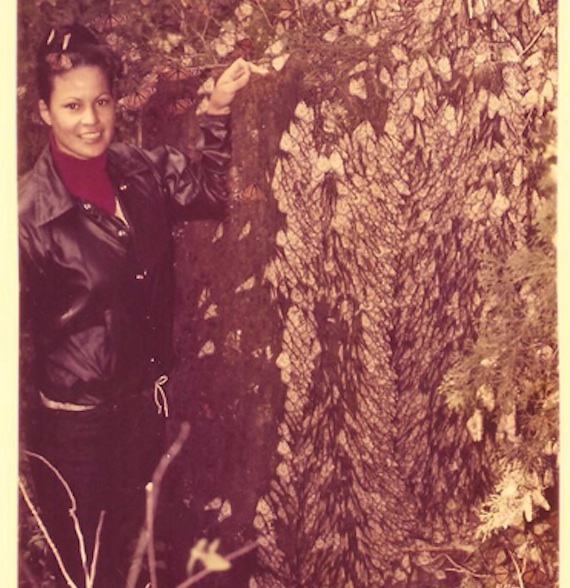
[(96, 280)]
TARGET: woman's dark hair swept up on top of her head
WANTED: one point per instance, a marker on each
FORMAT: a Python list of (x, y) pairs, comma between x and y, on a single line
[(70, 46)]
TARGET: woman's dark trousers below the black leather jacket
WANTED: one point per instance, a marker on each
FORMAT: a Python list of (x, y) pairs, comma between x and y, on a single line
[(106, 455)]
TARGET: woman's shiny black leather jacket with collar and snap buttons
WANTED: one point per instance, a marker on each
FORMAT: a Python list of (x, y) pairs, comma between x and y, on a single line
[(98, 293)]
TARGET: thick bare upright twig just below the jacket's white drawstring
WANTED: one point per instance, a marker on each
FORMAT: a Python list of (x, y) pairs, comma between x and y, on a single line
[(158, 475)]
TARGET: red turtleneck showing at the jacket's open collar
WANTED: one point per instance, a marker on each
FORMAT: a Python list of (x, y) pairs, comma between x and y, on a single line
[(86, 179)]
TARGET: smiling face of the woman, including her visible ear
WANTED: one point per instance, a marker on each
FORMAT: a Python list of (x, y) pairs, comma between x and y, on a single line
[(81, 111)]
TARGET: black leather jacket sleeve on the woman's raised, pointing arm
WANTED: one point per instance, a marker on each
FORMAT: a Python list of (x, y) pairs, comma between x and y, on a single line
[(197, 184)]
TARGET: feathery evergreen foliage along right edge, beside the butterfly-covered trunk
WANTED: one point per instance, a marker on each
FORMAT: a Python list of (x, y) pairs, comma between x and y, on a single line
[(507, 384)]
